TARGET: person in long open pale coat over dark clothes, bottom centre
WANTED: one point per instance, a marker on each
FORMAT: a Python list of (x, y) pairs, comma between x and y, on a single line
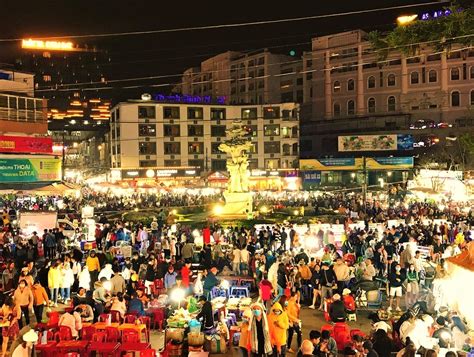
[(260, 340)]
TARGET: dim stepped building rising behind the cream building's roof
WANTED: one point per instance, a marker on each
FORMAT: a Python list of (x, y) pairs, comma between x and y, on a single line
[(246, 78)]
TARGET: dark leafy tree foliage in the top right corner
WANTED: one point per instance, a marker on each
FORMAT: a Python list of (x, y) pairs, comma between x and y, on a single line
[(441, 33)]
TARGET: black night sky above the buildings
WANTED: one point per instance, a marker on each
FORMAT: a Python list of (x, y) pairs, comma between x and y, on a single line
[(157, 54)]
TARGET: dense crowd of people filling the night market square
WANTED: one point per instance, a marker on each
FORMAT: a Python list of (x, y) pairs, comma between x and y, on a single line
[(120, 274)]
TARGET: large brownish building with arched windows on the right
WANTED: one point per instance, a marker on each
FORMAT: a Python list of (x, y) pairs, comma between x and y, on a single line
[(351, 89)]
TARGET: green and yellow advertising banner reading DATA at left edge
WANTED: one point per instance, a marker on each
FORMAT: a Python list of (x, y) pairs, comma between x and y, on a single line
[(29, 169)]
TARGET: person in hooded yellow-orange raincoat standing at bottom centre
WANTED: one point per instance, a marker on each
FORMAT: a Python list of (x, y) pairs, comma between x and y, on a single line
[(278, 324)]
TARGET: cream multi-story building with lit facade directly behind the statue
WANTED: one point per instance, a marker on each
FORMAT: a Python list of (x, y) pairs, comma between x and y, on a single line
[(149, 139)]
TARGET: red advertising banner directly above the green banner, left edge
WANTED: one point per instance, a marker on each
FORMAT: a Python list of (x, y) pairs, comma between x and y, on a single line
[(25, 144)]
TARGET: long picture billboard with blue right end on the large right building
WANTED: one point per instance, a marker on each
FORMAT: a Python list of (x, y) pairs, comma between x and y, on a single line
[(375, 142)]
